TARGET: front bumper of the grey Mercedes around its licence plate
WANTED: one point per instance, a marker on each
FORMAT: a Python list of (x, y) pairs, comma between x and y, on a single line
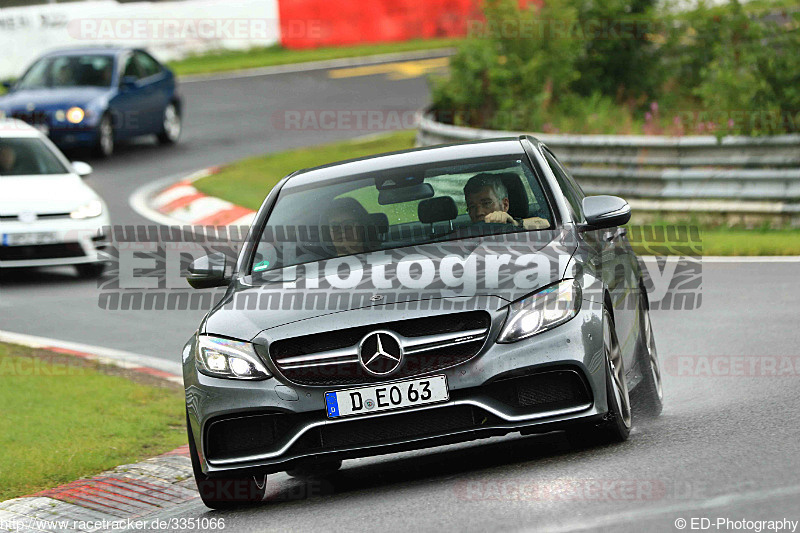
[(477, 408)]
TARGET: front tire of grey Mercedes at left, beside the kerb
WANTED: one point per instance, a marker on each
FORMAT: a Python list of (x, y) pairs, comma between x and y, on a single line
[(225, 492)]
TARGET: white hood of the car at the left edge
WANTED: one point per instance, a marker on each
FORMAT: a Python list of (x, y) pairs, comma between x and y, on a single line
[(57, 193)]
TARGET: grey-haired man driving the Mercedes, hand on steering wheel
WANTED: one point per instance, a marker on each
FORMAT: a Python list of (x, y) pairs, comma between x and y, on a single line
[(487, 201)]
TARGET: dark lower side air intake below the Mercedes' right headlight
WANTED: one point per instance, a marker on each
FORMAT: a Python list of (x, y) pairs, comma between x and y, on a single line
[(545, 391)]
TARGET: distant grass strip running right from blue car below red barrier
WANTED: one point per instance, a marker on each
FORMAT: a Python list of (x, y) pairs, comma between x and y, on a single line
[(276, 55)]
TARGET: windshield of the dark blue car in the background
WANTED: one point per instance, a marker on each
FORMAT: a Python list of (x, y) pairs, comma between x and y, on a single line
[(69, 71)]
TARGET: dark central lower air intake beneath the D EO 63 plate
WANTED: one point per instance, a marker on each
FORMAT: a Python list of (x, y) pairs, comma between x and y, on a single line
[(398, 427)]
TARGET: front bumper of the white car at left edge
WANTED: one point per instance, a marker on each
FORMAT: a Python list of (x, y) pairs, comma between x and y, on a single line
[(76, 242)]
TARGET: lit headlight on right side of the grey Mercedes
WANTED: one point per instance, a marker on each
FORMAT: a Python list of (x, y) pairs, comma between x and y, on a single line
[(542, 310)]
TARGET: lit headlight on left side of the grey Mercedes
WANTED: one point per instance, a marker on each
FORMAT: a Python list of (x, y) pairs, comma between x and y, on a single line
[(225, 358)]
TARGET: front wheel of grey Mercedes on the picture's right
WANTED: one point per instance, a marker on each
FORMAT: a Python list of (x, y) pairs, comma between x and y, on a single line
[(616, 423)]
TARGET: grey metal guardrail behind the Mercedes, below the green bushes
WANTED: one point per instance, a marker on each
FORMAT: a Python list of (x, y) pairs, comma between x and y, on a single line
[(739, 176)]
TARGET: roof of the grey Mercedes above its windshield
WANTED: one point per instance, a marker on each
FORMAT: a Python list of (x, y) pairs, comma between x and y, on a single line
[(510, 146)]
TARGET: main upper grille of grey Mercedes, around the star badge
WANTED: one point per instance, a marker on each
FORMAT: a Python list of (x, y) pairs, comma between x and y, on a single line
[(430, 344)]
